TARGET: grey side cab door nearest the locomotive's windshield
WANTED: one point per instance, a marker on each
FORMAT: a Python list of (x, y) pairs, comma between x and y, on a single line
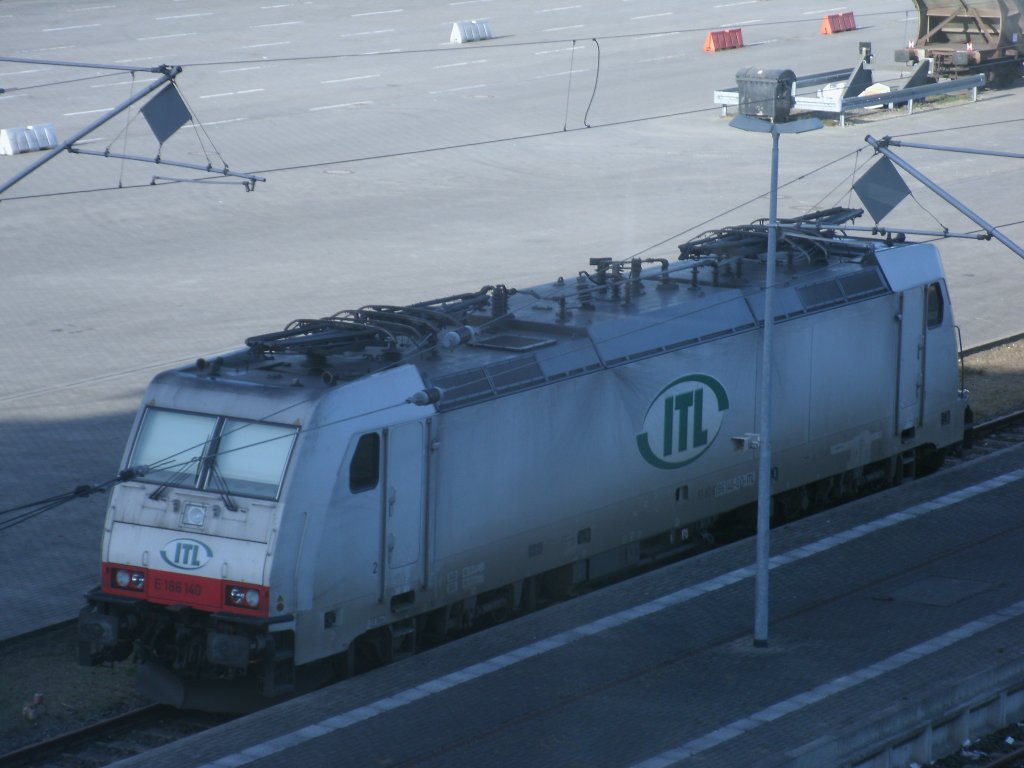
[(404, 508)]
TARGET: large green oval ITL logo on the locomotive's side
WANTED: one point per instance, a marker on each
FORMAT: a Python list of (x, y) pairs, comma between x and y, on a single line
[(684, 421)]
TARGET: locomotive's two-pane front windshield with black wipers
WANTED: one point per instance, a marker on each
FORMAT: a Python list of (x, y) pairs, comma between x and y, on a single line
[(214, 453)]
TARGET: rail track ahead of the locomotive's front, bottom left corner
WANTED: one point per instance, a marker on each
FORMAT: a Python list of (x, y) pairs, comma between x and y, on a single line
[(108, 741)]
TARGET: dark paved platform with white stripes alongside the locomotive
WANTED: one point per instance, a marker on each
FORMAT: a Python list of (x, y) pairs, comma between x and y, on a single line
[(895, 628)]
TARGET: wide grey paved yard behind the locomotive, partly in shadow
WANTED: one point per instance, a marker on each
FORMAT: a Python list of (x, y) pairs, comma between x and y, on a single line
[(346, 109)]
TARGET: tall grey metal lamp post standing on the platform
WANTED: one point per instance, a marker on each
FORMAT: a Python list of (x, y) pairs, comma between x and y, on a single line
[(748, 122)]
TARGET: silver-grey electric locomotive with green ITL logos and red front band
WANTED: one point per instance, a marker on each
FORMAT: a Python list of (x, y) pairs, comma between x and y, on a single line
[(334, 494)]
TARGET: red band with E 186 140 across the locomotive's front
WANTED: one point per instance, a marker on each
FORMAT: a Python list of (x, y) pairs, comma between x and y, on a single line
[(167, 588)]
